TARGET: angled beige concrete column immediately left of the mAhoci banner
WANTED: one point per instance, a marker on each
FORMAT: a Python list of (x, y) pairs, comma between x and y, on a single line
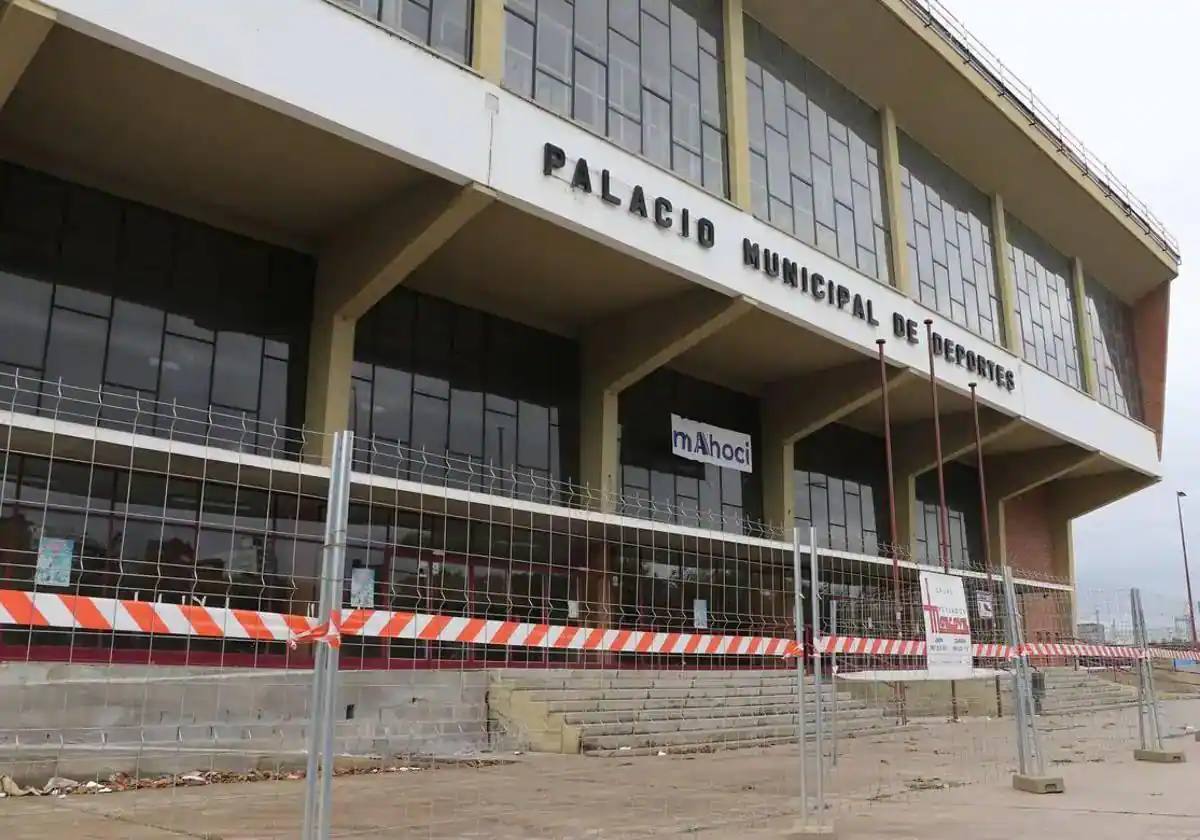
[(650, 338)]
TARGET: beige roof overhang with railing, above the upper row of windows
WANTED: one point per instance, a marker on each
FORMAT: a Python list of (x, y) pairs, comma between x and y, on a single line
[(890, 55)]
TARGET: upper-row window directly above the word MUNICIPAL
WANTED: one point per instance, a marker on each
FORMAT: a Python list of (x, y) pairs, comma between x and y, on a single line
[(820, 147)]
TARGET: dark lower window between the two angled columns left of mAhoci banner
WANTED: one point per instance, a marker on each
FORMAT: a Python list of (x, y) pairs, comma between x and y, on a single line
[(499, 394)]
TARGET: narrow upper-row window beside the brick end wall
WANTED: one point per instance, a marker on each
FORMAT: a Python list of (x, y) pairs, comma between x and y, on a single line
[(1114, 350)]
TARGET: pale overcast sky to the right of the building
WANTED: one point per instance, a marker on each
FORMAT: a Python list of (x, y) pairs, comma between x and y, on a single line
[(1123, 76)]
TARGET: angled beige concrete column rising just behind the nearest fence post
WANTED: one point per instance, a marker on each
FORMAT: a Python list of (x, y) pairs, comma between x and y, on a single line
[(356, 271)]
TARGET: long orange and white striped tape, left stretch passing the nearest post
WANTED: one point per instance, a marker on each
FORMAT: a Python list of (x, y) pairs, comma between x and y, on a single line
[(53, 610)]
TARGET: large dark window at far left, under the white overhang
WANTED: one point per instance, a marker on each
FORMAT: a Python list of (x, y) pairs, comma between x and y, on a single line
[(170, 310)]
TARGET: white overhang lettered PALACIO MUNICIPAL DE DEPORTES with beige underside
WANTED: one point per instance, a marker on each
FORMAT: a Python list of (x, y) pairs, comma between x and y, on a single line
[(320, 145)]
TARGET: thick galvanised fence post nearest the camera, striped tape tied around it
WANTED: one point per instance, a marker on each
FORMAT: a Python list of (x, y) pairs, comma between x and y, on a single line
[(319, 794)]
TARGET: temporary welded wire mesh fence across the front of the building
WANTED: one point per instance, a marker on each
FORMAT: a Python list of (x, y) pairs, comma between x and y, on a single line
[(514, 657)]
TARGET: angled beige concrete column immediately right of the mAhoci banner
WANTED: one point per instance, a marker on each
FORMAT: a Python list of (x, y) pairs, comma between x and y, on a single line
[(795, 409)]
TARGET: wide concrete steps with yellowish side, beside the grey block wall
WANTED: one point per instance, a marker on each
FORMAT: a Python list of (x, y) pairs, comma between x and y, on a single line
[(625, 713)]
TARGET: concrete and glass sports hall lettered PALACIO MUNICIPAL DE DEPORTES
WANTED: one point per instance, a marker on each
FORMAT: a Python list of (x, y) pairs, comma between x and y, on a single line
[(621, 266)]
